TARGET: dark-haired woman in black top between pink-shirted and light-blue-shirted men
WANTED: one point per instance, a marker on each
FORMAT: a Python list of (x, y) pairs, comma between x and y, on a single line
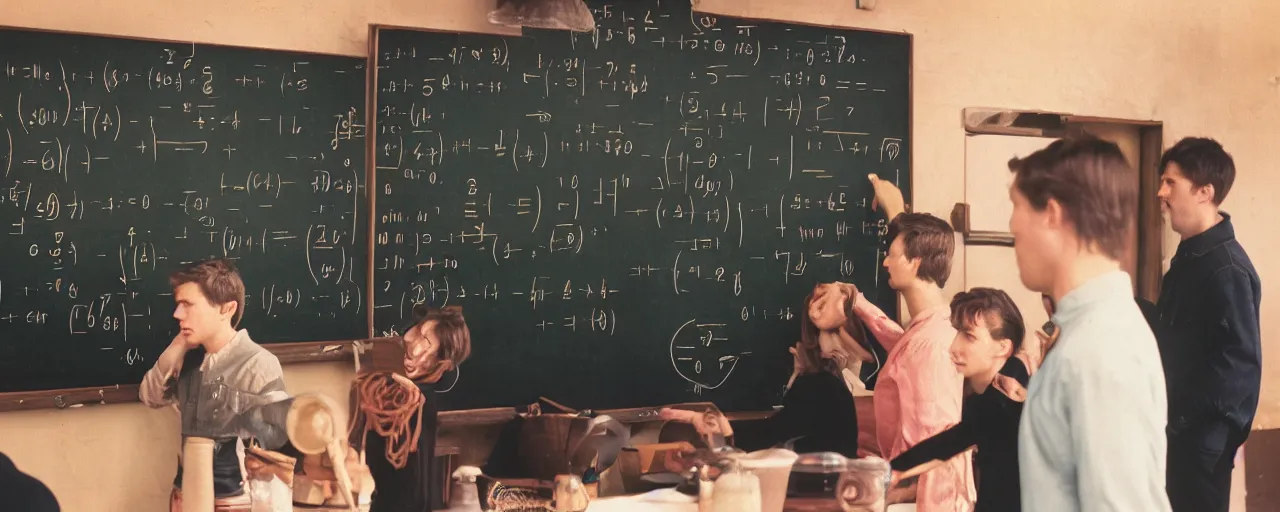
[(990, 333)]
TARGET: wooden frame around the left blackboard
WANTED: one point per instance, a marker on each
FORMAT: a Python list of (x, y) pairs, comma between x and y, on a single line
[(317, 351)]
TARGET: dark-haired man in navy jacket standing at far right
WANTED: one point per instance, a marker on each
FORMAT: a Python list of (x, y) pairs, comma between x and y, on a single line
[(1208, 328)]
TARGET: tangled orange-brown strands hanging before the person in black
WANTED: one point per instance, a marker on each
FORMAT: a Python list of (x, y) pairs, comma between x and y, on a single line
[(388, 406)]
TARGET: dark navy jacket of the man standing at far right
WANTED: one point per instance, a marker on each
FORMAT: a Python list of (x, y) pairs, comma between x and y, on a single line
[(1210, 341)]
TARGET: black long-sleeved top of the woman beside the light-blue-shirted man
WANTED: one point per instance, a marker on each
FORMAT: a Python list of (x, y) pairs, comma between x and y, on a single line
[(990, 422)]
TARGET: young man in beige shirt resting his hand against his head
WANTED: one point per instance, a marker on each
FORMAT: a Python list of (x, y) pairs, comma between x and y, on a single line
[(208, 351)]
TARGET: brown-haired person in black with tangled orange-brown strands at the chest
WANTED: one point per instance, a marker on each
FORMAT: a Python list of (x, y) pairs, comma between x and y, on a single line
[(396, 415)]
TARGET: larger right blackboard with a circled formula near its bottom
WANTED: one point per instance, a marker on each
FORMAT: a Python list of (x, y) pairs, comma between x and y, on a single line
[(633, 217)]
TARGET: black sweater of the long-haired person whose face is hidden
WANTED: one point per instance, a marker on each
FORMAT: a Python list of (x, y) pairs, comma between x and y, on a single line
[(819, 409)]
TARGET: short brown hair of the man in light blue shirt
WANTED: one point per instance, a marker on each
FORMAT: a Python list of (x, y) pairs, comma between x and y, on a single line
[(1092, 181)]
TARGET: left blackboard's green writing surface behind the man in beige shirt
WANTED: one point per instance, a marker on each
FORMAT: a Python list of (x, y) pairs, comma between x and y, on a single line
[(124, 159)]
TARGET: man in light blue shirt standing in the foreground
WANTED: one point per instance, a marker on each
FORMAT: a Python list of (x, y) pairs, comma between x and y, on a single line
[(1092, 433)]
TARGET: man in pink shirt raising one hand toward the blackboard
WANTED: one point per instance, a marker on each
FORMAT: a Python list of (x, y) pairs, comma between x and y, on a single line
[(920, 392)]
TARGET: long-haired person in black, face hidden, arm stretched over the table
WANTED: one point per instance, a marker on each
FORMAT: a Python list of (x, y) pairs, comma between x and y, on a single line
[(834, 358)]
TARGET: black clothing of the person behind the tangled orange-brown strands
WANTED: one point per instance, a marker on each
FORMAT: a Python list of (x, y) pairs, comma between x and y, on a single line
[(414, 487)]
